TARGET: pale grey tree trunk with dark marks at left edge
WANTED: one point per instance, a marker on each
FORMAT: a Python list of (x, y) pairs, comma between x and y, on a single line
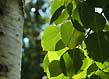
[(11, 31)]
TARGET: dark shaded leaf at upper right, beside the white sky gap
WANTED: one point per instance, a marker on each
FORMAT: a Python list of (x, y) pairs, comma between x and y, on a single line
[(90, 19)]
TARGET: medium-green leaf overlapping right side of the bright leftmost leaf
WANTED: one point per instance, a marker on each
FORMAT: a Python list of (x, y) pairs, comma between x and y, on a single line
[(70, 36)]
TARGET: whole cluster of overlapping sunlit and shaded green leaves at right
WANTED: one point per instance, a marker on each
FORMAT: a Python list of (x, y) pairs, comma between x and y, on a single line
[(78, 40)]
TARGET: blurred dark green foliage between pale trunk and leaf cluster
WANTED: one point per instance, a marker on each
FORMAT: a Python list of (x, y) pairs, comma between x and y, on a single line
[(32, 51)]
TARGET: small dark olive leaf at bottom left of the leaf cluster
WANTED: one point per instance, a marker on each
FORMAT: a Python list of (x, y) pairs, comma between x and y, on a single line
[(54, 68)]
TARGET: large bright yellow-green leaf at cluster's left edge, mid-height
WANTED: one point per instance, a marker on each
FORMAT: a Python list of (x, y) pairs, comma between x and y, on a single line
[(50, 37)]
